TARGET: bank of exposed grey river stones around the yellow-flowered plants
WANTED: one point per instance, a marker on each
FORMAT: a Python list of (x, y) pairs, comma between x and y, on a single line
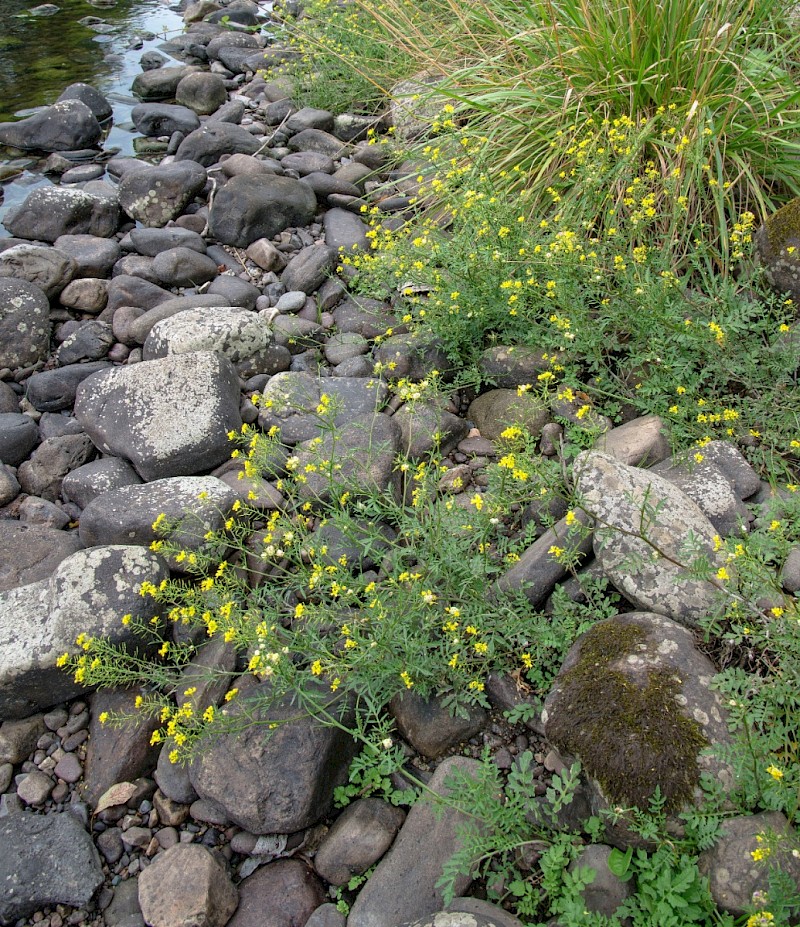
[(142, 305)]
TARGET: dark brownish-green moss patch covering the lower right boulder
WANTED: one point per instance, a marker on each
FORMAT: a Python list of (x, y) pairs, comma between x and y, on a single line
[(629, 737)]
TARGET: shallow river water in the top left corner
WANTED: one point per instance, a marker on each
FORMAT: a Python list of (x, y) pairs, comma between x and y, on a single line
[(41, 55)]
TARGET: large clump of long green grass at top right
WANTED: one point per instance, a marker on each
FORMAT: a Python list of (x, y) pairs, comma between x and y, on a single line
[(521, 73)]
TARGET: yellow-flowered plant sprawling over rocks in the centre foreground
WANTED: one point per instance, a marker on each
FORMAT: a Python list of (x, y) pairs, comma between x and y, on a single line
[(351, 595)]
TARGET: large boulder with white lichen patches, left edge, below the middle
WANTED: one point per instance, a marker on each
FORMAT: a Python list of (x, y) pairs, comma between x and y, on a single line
[(88, 592)]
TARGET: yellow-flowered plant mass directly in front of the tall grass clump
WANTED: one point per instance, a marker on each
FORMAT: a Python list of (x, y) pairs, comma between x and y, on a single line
[(599, 285)]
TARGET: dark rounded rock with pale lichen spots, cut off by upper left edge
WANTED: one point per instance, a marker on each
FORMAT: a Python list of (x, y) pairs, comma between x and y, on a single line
[(24, 323)]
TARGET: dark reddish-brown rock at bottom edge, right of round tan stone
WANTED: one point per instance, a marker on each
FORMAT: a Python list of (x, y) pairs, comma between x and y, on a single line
[(281, 894)]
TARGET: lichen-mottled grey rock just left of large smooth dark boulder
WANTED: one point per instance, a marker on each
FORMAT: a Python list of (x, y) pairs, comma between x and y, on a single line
[(158, 194)]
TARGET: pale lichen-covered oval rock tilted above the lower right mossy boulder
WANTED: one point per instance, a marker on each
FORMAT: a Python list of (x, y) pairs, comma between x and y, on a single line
[(646, 536)]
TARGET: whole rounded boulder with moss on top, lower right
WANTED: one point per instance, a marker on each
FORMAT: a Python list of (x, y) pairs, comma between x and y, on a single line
[(633, 703)]
